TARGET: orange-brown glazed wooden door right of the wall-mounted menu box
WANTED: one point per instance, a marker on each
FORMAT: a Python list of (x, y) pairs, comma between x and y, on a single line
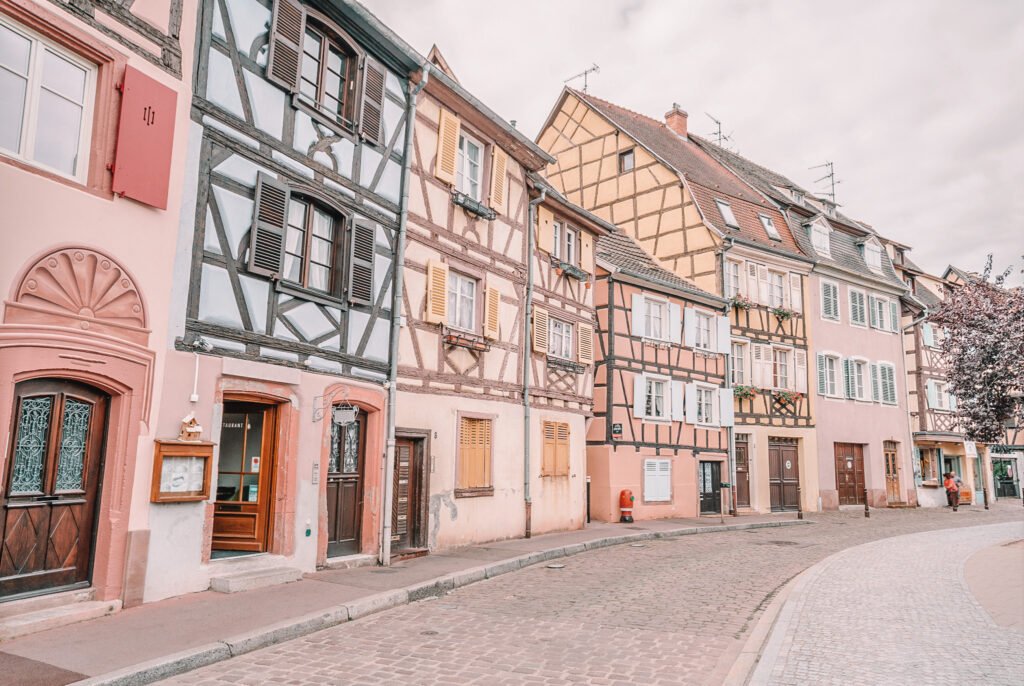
[(245, 477)]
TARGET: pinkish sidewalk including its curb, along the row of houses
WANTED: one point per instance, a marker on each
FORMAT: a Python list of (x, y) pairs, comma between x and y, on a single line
[(145, 644)]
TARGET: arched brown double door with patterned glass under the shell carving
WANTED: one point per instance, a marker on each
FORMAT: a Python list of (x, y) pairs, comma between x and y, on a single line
[(52, 490)]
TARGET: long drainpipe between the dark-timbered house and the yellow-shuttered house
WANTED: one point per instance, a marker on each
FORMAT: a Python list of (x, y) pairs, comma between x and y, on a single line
[(397, 288)]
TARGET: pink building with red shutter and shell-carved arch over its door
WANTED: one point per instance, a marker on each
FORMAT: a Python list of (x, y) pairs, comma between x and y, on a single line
[(95, 98)]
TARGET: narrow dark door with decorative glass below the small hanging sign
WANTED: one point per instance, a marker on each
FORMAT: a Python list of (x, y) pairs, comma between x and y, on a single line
[(345, 487)]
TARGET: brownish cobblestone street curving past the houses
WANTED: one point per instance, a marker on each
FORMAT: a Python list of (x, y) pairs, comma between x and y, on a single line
[(670, 612)]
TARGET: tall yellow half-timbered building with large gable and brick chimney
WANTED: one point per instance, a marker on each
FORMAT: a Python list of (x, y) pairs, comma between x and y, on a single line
[(707, 226)]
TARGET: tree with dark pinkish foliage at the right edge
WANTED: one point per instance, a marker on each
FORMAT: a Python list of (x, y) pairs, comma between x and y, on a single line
[(984, 353)]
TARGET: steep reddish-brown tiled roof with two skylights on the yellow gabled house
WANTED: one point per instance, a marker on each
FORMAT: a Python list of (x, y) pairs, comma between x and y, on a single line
[(707, 178)]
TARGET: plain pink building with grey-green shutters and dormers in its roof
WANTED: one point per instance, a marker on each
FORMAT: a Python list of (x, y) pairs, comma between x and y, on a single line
[(865, 448)]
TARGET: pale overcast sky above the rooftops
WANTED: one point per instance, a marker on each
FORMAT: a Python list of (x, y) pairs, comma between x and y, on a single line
[(920, 105)]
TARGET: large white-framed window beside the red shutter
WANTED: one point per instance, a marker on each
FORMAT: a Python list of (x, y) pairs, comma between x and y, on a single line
[(47, 103)]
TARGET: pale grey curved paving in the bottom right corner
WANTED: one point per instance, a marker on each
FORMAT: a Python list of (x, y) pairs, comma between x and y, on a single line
[(898, 611)]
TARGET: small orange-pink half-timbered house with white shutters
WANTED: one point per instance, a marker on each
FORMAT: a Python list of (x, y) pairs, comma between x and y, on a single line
[(662, 409)]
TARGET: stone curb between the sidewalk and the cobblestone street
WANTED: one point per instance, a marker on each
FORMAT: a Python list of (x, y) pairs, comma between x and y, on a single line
[(169, 666)]
